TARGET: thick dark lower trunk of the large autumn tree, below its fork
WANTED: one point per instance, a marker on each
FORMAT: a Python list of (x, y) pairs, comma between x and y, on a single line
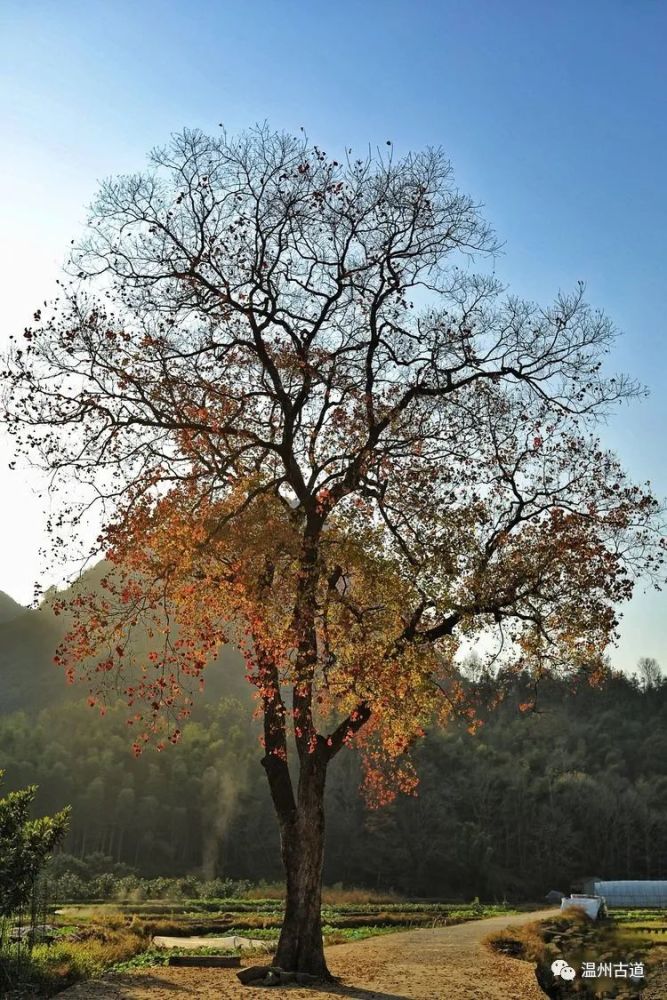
[(300, 948)]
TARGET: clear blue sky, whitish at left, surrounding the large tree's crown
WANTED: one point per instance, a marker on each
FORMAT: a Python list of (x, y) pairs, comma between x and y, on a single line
[(554, 116)]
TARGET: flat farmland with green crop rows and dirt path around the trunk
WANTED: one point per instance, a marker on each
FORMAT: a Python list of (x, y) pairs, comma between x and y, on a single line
[(102, 947)]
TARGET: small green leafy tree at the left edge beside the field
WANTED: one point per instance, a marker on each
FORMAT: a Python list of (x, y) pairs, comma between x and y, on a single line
[(24, 847)]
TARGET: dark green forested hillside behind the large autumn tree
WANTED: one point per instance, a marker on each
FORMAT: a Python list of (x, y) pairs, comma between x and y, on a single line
[(532, 801)]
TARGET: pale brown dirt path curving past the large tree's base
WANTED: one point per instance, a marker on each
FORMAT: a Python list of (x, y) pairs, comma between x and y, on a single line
[(448, 963)]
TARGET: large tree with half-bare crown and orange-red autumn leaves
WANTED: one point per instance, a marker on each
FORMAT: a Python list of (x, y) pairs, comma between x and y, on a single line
[(314, 435)]
